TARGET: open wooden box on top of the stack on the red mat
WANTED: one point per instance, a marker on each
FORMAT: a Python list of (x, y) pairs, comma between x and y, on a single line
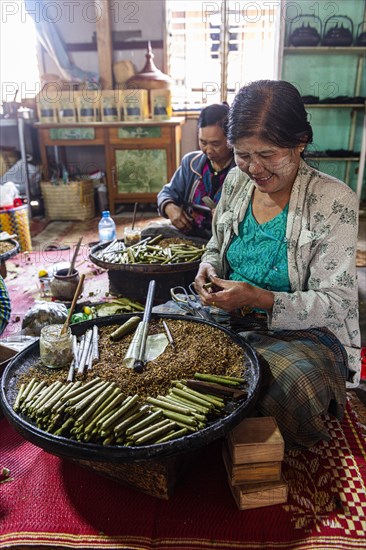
[(256, 440)]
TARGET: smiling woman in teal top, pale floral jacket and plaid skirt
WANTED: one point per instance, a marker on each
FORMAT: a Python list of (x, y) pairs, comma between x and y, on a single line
[(283, 251)]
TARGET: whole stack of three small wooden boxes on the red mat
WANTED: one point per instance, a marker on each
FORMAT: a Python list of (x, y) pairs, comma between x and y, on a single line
[(253, 452)]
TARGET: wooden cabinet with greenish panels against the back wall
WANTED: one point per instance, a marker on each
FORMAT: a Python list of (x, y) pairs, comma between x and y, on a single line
[(140, 157)]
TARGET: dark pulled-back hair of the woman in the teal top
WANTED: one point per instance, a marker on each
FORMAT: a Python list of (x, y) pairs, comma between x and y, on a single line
[(273, 110)]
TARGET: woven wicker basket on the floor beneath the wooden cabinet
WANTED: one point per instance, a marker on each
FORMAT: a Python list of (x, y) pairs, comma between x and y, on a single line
[(69, 201)]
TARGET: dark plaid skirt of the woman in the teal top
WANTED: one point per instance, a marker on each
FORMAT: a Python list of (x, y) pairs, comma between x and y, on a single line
[(304, 377)]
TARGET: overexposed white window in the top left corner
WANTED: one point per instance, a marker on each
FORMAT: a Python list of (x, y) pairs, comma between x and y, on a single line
[(18, 54)]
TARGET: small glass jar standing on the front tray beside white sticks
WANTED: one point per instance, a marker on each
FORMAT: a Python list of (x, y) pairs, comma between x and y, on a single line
[(55, 348)]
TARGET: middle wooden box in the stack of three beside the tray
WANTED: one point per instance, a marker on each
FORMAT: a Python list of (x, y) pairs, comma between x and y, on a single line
[(250, 473)]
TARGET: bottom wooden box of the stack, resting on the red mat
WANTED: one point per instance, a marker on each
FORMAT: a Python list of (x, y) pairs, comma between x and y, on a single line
[(256, 495)]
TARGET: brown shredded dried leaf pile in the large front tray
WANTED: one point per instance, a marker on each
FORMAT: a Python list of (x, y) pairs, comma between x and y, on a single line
[(198, 347)]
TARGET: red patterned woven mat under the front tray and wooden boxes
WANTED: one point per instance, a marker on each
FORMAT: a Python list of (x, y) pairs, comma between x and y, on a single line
[(52, 502)]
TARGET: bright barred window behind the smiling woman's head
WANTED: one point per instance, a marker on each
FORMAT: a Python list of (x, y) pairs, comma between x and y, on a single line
[(215, 47)]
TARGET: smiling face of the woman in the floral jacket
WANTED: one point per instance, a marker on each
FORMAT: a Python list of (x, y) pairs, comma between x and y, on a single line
[(271, 168)]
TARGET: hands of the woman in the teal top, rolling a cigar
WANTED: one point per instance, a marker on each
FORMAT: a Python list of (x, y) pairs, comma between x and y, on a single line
[(230, 295)]
